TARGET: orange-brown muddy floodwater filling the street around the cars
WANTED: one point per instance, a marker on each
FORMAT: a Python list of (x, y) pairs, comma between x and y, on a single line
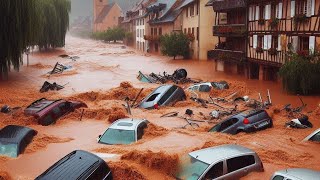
[(102, 76)]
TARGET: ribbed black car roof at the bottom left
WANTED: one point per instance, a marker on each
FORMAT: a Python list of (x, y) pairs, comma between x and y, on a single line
[(76, 165)]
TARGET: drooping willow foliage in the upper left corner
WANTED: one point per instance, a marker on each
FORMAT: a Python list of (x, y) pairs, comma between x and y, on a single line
[(26, 23)]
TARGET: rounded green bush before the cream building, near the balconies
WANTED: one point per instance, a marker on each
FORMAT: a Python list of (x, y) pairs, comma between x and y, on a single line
[(175, 44)]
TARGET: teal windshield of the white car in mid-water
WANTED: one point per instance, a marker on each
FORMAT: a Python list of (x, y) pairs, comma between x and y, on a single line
[(118, 136)]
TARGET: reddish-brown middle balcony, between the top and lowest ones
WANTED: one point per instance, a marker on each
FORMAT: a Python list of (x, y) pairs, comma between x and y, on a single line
[(234, 30)]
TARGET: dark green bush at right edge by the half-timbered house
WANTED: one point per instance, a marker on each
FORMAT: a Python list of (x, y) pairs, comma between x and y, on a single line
[(301, 74)]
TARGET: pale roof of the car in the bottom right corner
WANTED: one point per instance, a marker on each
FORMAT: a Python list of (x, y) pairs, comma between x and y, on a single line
[(300, 173)]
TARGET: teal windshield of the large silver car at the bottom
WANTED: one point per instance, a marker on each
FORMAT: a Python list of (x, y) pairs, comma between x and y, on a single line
[(191, 168)]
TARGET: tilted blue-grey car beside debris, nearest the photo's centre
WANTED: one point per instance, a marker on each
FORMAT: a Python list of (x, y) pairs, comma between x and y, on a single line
[(163, 96)]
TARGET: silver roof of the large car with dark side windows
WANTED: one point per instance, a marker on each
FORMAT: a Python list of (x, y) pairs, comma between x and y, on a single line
[(213, 154)]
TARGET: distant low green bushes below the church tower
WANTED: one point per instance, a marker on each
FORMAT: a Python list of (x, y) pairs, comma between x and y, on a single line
[(111, 34)]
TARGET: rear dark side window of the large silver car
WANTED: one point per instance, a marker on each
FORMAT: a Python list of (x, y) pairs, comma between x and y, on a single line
[(236, 163)]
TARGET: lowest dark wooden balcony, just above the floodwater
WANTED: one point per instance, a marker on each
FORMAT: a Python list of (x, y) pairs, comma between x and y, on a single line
[(226, 55)]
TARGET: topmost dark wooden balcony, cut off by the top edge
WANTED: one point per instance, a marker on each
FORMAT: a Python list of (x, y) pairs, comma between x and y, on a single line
[(226, 5)]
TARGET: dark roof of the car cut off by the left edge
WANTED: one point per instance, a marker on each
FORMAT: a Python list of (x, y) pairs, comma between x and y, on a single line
[(14, 134)]
